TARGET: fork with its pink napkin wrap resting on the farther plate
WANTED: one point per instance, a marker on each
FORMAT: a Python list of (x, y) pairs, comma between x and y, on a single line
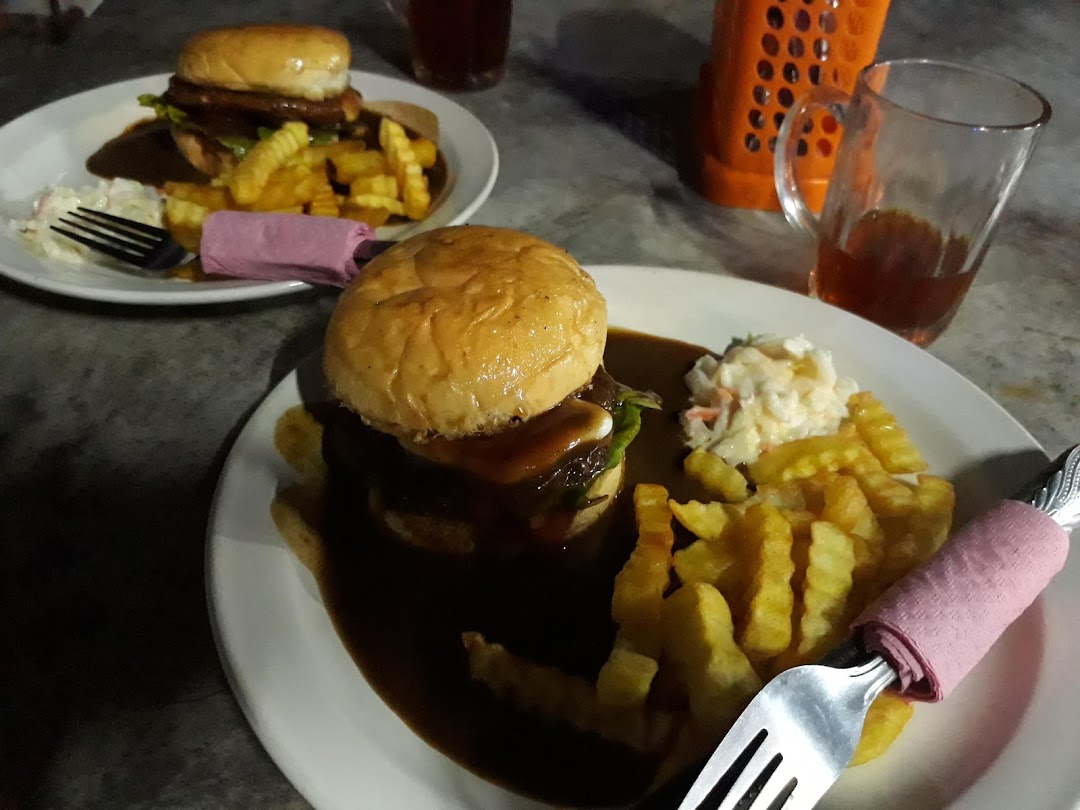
[(237, 245)]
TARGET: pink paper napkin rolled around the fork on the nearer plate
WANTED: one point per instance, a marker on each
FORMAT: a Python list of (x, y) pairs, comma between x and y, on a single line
[(938, 623)]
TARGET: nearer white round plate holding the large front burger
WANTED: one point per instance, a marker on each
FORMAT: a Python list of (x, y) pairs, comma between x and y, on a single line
[(1006, 738)]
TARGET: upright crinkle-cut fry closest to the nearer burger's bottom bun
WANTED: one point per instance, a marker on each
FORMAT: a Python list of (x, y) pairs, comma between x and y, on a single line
[(640, 587)]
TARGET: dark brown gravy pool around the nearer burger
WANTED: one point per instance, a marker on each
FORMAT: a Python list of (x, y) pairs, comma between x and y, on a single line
[(401, 613)]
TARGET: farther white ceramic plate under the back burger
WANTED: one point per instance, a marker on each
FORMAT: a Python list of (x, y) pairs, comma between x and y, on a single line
[(50, 146)]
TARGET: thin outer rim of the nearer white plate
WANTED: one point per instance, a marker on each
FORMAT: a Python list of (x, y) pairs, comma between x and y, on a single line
[(277, 749)]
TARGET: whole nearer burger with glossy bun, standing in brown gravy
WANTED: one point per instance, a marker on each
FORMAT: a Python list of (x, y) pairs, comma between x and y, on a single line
[(476, 413)]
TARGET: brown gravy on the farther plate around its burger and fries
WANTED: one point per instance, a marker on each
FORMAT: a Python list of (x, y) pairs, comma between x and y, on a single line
[(147, 154)]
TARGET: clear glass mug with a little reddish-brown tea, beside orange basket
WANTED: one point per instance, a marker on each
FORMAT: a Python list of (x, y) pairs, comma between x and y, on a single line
[(930, 154)]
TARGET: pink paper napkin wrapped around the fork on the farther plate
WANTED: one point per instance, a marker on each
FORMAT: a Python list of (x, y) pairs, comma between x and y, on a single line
[(283, 247)]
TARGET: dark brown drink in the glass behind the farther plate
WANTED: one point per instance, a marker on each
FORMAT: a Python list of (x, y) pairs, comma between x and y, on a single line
[(460, 45)]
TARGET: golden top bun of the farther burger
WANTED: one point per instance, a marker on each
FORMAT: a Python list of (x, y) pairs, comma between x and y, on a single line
[(299, 61)]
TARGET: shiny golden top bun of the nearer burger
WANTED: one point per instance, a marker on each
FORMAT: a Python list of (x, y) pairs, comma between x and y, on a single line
[(464, 331)]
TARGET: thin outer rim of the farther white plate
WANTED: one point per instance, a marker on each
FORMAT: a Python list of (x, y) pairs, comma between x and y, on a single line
[(231, 291)]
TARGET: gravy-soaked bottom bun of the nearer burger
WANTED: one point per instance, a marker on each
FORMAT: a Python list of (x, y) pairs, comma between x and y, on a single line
[(453, 536)]
